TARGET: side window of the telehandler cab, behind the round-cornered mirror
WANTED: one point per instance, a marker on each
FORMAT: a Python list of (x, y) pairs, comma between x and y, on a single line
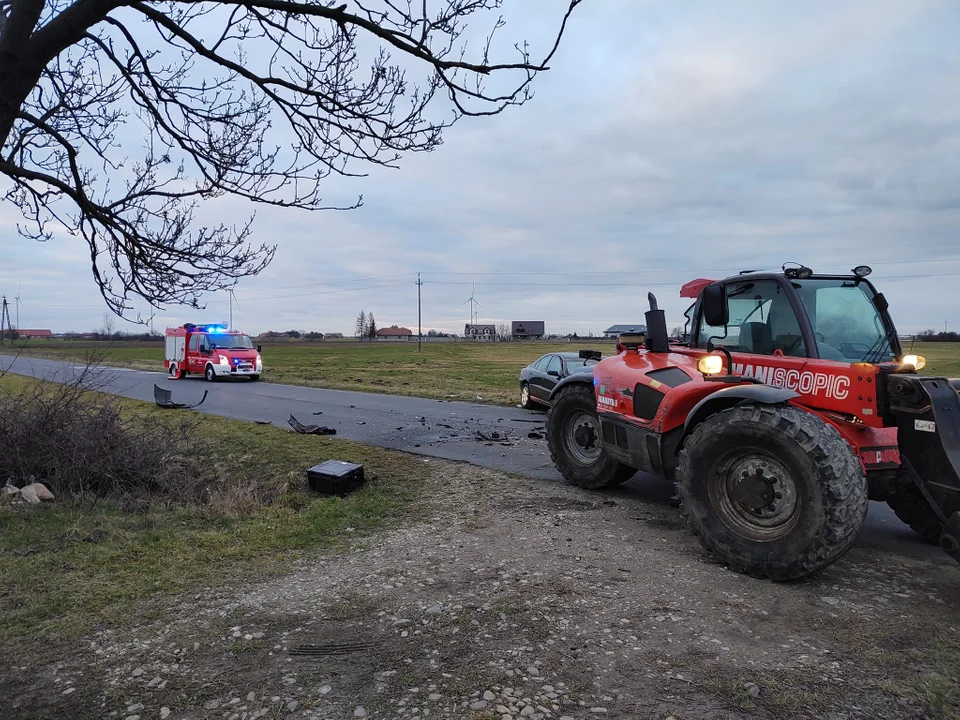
[(762, 321)]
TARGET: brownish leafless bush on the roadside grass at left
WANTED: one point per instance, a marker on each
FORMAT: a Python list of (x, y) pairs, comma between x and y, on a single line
[(80, 446)]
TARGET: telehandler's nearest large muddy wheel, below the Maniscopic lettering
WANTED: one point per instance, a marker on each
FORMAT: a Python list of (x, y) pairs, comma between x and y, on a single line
[(772, 491)]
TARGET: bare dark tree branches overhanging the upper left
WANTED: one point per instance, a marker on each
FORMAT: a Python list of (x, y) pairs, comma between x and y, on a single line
[(117, 117)]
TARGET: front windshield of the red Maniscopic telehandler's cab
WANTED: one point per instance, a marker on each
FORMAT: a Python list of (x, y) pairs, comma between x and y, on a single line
[(846, 323)]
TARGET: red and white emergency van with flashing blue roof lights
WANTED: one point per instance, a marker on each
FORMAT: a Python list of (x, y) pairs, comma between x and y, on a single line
[(211, 351)]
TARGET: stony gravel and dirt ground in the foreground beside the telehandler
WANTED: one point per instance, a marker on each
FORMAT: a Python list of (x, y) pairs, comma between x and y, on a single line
[(517, 598)]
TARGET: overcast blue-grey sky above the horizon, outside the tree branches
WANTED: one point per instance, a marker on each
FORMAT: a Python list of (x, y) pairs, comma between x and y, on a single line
[(669, 141)]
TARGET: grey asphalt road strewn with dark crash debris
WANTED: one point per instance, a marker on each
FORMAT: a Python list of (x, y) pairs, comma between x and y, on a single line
[(489, 436)]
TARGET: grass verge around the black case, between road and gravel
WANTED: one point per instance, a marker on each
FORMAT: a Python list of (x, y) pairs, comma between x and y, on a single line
[(65, 569)]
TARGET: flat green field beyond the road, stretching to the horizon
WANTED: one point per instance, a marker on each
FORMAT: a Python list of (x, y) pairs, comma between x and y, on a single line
[(462, 371)]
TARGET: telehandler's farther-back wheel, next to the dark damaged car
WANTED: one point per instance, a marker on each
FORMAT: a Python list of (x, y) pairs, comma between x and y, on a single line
[(573, 436)]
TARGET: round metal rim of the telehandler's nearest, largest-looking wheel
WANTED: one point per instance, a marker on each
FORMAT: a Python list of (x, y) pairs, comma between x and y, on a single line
[(755, 496)]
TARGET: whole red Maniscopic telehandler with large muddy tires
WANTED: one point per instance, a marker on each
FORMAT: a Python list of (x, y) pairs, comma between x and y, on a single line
[(789, 405)]
